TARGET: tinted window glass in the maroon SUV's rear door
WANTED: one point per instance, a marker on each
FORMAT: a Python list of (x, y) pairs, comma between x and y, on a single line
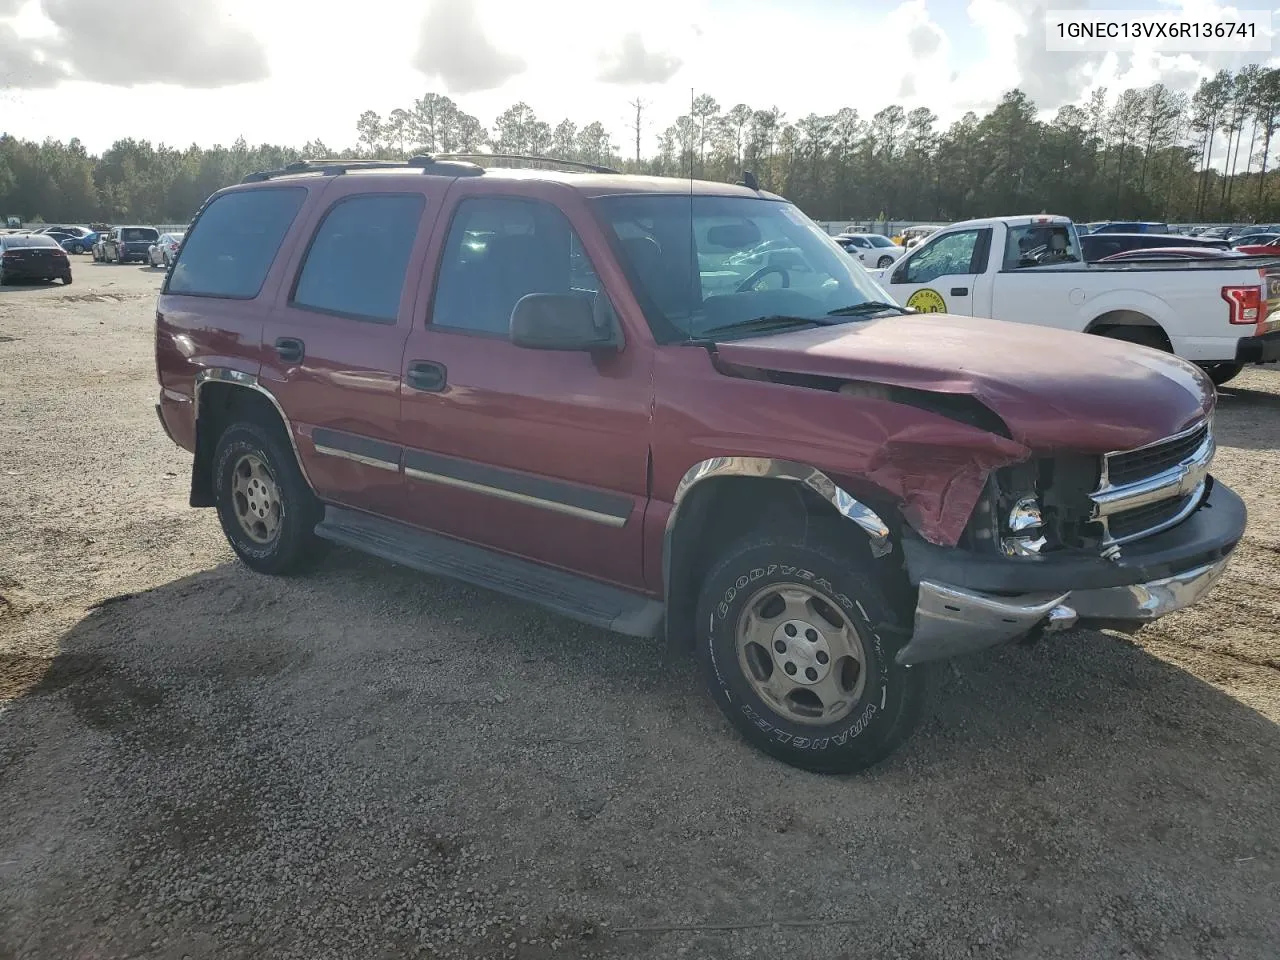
[(359, 258)]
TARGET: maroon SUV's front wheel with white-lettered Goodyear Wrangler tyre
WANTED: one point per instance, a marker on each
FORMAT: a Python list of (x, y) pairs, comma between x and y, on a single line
[(798, 646)]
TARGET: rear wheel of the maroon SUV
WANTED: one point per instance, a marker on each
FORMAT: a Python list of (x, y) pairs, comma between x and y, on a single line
[(267, 510)]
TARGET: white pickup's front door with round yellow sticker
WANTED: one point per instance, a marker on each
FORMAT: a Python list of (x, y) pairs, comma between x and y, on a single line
[(939, 276)]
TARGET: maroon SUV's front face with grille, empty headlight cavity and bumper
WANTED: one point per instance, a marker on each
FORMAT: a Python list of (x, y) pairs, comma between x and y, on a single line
[(1116, 541)]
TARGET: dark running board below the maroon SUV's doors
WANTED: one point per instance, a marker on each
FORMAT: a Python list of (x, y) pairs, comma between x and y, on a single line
[(568, 595)]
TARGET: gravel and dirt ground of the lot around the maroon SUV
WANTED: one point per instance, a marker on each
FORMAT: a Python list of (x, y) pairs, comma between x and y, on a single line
[(199, 762)]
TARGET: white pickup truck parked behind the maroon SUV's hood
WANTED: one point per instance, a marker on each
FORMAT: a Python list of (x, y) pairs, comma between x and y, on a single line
[(1219, 313)]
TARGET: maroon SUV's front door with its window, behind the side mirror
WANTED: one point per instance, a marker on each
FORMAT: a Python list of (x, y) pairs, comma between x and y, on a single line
[(538, 454)]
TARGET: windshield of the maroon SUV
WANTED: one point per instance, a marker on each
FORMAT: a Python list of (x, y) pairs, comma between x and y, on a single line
[(755, 259)]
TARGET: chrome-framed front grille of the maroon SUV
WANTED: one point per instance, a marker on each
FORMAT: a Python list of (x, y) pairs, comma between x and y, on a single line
[(1153, 488)]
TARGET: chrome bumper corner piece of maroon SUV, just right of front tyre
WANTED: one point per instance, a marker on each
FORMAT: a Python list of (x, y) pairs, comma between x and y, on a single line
[(952, 621)]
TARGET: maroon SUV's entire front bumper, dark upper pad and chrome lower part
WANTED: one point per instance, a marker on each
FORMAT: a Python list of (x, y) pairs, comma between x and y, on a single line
[(970, 602)]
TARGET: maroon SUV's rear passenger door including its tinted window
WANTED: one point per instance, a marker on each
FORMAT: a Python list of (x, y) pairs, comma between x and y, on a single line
[(333, 342)]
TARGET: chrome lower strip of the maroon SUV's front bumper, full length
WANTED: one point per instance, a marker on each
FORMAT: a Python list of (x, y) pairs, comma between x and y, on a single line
[(952, 621)]
